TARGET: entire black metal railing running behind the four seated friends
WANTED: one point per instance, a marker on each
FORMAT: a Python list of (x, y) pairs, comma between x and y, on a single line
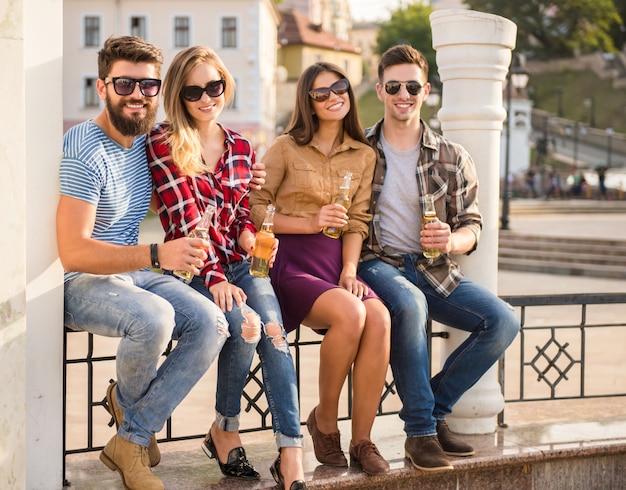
[(547, 357)]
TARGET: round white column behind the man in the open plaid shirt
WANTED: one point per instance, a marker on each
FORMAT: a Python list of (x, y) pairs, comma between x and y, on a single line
[(473, 56)]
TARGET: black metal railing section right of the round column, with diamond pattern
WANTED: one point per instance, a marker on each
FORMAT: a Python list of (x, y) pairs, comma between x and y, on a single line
[(557, 361)]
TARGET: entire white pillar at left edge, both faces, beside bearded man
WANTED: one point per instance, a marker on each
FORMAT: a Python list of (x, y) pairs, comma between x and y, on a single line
[(31, 300)]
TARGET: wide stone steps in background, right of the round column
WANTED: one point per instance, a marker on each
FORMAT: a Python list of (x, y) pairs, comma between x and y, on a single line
[(561, 255)]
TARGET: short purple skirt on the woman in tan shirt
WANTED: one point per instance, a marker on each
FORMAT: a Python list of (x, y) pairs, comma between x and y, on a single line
[(305, 267)]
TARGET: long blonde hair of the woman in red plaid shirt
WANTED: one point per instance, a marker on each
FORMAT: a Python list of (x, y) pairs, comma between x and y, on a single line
[(183, 137)]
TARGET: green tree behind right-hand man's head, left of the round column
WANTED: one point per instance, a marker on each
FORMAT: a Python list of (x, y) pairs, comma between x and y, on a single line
[(410, 25)]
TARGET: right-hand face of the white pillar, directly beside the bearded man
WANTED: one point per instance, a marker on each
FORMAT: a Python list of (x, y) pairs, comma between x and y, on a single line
[(43, 64)]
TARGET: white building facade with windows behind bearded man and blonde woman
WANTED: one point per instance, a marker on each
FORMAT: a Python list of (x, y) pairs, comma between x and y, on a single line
[(242, 32)]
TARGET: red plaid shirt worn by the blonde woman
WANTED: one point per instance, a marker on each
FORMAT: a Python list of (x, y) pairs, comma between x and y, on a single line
[(182, 199)]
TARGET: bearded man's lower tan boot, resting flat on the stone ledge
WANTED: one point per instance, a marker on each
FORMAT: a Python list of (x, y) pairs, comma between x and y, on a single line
[(132, 462)]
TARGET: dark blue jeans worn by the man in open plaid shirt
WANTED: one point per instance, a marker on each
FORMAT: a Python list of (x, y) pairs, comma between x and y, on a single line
[(491, 323)]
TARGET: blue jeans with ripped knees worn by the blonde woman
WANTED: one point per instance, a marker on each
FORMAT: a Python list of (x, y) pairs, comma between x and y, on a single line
[(270, 341)]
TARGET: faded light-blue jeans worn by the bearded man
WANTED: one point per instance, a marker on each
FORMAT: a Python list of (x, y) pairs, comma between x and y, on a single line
[(146, 310)]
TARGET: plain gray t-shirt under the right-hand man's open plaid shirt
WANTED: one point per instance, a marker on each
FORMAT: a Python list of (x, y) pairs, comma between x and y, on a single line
[(398, 204)]
